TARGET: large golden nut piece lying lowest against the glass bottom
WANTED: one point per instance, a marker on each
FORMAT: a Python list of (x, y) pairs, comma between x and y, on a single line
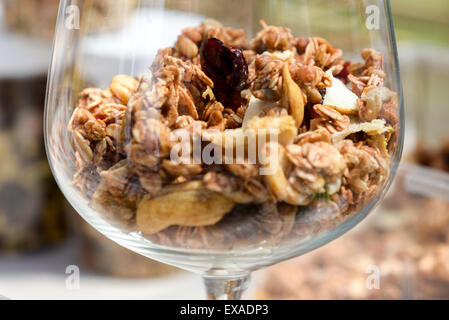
[(196, 208)]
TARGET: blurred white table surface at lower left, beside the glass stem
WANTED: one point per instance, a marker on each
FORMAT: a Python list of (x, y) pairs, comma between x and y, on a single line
[(42, 275)]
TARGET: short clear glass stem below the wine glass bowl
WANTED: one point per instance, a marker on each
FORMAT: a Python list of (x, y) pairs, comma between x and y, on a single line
[(226, 287)]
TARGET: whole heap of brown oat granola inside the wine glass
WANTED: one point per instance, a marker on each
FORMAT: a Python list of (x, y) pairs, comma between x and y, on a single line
[(315, 133)]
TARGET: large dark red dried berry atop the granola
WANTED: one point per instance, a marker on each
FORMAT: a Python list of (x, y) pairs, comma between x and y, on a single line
[(228, 69)]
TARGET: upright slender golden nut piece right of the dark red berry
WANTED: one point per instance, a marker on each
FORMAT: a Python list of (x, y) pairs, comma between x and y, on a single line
[(292, 98)]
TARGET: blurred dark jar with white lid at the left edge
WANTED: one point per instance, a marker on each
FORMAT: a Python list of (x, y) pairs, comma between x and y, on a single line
[(31, 212)]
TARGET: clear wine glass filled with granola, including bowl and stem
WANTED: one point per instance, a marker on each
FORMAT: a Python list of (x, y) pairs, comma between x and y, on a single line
[(222, 137)]
